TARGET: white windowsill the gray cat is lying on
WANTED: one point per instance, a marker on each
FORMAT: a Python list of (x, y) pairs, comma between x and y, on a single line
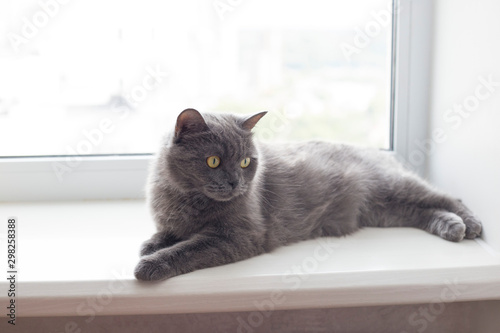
[(77, 258)]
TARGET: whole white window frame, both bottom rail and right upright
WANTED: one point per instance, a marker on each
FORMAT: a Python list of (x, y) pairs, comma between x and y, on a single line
[(124, 176)]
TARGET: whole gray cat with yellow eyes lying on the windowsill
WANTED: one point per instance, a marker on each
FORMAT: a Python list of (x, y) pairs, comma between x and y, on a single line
[(217, 197)]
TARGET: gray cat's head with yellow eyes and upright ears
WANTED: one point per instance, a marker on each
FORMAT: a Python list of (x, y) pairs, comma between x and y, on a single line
[(213, 154)]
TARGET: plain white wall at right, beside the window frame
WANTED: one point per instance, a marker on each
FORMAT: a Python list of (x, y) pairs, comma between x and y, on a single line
[(465, 156)]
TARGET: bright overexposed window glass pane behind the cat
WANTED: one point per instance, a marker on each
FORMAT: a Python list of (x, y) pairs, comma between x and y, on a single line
[(110, 77)]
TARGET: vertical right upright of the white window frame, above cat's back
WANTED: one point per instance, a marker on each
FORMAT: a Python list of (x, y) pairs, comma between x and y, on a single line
[(412, 78)]
